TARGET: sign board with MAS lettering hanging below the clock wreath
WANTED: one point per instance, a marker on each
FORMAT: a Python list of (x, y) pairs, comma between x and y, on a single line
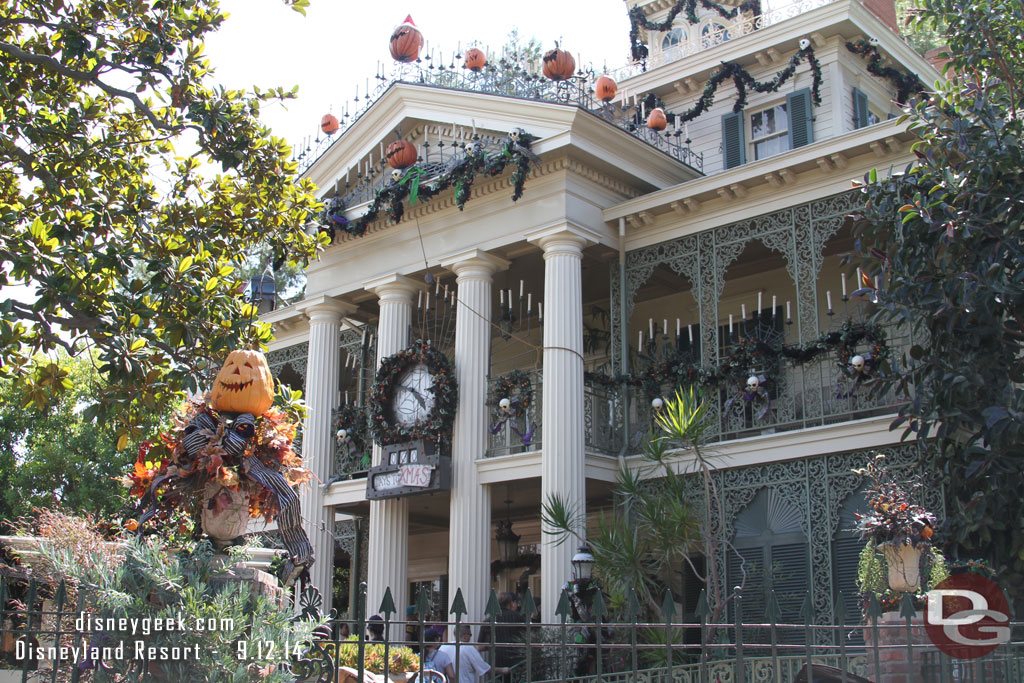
[(407, 469)]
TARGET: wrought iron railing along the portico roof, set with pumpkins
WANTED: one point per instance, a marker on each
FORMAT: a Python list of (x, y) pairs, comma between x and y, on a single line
[(507, 79)]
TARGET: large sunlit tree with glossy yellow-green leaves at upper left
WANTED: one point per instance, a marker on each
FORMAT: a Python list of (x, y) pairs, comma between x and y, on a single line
[(132, 190)]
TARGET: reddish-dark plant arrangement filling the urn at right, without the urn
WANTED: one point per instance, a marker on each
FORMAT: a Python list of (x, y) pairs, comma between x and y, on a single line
[(894, 520)]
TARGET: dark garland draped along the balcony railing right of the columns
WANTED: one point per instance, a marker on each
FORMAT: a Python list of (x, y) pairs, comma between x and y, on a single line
[(751, 354)]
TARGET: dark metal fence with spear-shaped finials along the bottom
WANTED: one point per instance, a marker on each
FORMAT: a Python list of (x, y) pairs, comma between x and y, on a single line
[(630, 650)]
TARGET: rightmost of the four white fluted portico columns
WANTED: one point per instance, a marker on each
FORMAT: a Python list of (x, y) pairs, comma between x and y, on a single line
[(563, 464)]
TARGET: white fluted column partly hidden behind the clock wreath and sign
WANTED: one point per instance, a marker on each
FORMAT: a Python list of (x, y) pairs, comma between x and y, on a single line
[(389, 553)]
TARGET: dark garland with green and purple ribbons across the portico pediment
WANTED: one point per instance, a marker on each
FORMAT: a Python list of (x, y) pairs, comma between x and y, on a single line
[(415, 186)]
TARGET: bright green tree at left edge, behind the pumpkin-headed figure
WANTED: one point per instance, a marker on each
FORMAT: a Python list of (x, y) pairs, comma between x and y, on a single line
[(50, 454)]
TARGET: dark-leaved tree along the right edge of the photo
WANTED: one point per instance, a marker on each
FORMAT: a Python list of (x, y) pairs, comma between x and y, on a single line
[(949, 244)]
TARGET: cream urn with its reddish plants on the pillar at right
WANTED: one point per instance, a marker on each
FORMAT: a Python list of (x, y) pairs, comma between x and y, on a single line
[(902, 530)]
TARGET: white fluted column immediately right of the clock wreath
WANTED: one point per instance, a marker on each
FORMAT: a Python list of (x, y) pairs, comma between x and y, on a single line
[(470, 522)]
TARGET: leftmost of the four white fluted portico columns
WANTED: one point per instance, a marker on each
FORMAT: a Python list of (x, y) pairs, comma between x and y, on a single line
[(323, 367)]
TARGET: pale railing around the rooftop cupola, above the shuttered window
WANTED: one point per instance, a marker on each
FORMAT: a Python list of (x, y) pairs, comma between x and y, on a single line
[(712, 33)]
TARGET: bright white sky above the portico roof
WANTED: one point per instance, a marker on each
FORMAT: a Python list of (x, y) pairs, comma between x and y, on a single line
[(339, 44)]
